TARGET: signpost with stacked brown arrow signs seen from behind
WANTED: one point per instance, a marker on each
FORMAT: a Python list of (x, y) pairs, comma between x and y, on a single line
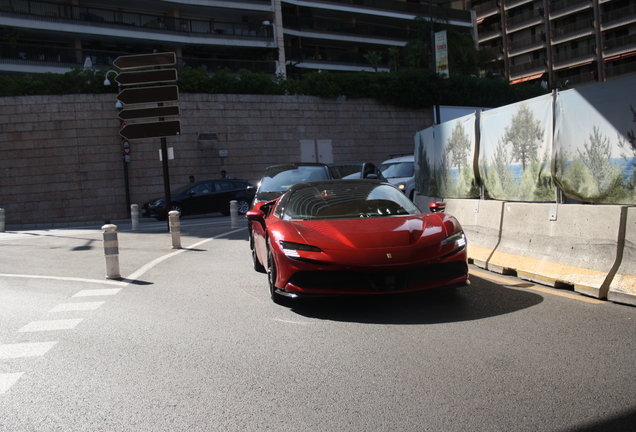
[(147, 95)]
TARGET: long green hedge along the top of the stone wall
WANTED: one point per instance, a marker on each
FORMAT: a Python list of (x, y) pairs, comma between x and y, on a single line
[(406, 88)]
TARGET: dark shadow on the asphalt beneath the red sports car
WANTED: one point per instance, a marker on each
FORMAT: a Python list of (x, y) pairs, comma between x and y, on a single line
[(482, 299)]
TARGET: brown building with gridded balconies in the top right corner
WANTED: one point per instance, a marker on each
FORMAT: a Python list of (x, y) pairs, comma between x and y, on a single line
[(564, 43)]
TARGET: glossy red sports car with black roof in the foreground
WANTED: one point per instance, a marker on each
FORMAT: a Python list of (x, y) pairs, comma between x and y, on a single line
[(354, 237)]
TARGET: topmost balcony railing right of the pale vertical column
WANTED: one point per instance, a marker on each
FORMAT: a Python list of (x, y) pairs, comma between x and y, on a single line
[(421, 8)]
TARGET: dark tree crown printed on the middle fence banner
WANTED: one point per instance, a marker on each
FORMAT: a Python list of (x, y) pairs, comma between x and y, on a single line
[(525, 135)]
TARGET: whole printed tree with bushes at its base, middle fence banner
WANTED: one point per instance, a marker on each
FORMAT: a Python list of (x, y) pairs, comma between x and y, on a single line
[(521, 143)]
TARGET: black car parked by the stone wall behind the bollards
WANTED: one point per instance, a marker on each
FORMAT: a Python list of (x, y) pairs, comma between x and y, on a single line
[(208, 196)]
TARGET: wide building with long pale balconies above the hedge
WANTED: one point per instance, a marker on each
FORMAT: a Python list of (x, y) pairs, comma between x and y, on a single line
[(259, 35)]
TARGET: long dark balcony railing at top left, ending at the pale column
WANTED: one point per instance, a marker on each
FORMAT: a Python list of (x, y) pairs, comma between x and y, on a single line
[(122, 19)]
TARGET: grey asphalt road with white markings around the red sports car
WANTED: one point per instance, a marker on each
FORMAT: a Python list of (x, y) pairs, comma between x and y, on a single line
[(190, 341)]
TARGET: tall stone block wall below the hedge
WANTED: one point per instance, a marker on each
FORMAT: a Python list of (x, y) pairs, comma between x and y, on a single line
[(61, 158)]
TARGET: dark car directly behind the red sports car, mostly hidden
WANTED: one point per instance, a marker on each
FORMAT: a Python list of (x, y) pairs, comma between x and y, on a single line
[(278, 178)]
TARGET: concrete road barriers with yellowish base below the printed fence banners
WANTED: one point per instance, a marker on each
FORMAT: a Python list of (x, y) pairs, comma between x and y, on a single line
[(590, 248)]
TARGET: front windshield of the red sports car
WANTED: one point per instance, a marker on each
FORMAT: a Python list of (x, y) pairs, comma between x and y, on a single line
[(347, 201)]
